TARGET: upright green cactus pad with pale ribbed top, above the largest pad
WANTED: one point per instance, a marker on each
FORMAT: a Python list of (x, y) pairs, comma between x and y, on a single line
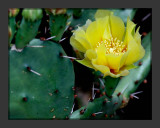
[(29, 27)]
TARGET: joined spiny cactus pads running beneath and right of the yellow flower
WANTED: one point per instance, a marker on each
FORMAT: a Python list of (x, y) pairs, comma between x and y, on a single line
[(105, 107)]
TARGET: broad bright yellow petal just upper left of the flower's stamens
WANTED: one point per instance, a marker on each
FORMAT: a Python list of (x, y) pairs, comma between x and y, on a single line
[(93, 34)]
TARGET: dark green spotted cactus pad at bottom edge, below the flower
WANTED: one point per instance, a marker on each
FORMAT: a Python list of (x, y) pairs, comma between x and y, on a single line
[(100, 107)]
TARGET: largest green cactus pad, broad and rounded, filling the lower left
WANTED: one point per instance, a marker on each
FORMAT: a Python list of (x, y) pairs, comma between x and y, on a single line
[(47, 95)]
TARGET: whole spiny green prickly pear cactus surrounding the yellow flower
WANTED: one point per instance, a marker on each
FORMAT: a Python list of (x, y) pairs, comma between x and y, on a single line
[(42, 82)]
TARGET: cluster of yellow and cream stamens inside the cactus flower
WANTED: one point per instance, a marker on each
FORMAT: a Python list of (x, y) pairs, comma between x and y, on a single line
[(113, 46)]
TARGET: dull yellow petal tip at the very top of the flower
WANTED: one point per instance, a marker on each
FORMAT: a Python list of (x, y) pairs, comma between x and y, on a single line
[(102, 13)]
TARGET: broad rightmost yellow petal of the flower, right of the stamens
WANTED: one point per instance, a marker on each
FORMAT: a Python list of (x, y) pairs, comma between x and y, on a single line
[(136, 52)]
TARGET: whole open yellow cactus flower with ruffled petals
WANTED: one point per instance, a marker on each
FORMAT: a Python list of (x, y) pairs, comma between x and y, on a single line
[(107, 45)]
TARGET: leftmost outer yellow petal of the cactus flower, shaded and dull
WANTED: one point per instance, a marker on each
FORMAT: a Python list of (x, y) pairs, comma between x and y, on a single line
[(77, 45)]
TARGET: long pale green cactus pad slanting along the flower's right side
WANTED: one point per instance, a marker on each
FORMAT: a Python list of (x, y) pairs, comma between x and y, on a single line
[(137, 75)]
